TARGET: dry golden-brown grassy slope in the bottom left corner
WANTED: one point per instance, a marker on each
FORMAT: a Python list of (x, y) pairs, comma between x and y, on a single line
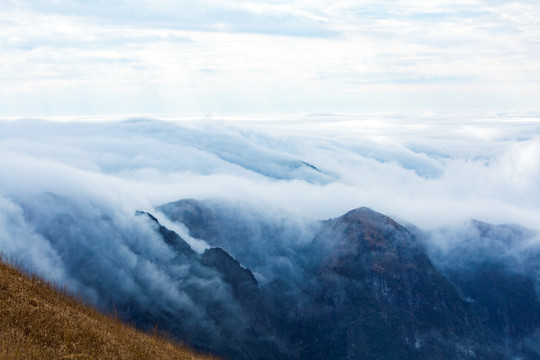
[(39, 322)]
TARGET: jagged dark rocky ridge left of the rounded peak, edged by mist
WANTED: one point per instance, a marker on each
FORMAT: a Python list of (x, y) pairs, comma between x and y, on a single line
[(245, 330)]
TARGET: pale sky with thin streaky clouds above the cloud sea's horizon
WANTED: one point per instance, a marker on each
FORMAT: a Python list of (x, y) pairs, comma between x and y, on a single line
[(74, 57)]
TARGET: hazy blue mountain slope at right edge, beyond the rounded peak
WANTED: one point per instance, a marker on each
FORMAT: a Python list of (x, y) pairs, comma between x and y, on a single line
[(496, 267)]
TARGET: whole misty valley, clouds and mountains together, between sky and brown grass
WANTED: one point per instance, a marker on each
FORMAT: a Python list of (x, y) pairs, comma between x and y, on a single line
[(318, 236)]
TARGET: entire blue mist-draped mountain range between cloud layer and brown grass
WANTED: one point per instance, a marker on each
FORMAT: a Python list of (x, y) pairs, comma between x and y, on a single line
[(265, 285)]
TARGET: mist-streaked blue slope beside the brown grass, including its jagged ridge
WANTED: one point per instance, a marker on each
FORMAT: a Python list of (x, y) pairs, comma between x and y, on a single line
[(148, 275)]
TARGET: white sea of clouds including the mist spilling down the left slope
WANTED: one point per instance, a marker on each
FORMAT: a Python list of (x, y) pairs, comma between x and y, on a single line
[(69, 189)]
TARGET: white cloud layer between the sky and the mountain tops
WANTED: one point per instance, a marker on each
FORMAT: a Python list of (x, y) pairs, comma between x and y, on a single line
[(430, 169)]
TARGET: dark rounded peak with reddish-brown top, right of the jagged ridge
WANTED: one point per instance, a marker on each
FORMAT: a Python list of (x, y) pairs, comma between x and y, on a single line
[(375, 294)]
